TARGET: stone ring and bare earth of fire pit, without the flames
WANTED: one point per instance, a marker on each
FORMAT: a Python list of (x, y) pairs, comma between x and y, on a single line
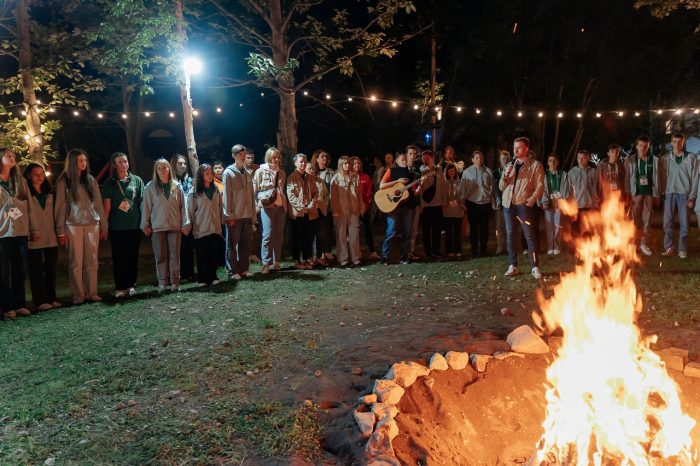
[(475, 408)]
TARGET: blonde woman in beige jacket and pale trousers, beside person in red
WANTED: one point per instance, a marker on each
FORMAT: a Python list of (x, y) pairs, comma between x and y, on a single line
[(347, 207)]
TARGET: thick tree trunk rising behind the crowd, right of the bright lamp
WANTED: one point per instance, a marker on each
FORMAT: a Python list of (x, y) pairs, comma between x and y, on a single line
[(287, 127)]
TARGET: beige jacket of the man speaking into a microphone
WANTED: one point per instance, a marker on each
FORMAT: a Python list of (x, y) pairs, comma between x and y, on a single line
[(527, 188)]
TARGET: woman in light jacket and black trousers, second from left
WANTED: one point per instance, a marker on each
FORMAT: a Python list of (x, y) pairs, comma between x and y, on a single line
[(43, 244)]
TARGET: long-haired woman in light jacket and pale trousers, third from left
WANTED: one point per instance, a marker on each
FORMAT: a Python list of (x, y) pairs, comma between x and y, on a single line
[(80, 224)]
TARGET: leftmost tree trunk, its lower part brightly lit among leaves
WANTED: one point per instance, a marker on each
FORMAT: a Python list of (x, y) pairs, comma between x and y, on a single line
[(35, 142)]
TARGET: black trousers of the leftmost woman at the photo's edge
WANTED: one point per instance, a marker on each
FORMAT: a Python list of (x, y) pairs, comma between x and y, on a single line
[(13, 255)]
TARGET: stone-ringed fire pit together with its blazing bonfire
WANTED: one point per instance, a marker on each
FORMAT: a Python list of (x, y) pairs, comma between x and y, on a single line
[(603, 397)]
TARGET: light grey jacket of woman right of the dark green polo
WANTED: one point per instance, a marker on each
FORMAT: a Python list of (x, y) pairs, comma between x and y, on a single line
[(161, 213)]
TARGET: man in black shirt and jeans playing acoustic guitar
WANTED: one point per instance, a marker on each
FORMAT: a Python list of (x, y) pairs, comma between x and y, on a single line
[(402, 215)]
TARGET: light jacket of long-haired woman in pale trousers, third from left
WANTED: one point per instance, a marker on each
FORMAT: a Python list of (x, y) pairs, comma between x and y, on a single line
[(82, 211)]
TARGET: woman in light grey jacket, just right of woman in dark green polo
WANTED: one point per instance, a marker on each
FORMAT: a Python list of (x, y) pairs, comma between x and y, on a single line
[(164, 219)]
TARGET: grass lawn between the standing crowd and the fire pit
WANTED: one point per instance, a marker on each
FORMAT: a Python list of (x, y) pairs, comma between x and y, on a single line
[(220, 376)]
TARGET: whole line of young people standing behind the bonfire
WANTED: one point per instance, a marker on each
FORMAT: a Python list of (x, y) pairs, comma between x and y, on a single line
[(220, 211)]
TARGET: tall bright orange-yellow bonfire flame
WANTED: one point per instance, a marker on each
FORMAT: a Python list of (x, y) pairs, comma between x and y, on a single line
[(610, 399)]
